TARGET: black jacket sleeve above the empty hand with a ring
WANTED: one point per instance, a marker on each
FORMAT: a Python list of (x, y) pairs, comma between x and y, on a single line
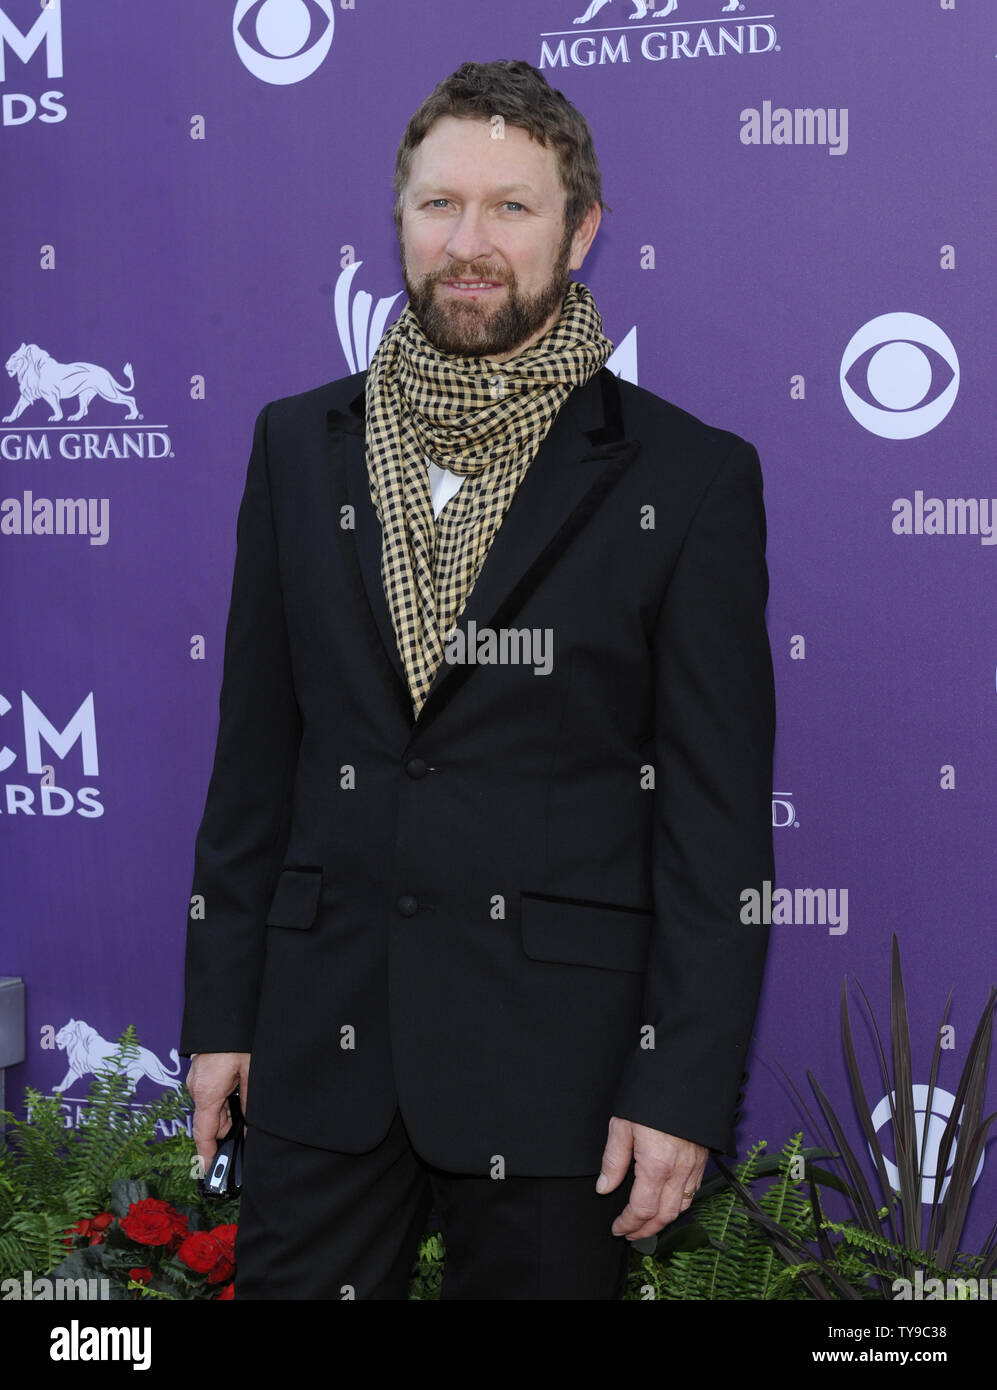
[(713, 818)]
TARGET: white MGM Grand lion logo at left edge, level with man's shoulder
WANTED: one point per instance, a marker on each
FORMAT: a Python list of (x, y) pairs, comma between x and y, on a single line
[(44, 380)]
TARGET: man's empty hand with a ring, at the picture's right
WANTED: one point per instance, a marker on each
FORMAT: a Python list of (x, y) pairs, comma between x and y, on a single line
[(668, 1172)]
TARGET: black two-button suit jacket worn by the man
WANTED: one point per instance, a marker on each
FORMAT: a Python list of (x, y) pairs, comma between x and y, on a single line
[(519, 914)]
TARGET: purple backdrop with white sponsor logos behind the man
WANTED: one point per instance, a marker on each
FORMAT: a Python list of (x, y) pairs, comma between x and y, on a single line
[(204, 193)]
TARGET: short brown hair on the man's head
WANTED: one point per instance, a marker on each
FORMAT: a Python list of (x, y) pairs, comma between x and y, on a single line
[(522, 97)]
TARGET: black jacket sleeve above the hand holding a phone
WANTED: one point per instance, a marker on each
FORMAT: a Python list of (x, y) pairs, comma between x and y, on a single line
[(245, 826)]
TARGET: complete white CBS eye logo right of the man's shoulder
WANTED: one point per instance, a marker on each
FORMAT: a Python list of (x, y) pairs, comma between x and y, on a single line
[(900, 359)]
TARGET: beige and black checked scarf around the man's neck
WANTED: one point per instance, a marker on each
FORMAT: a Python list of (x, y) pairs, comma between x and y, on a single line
[(473, 416)]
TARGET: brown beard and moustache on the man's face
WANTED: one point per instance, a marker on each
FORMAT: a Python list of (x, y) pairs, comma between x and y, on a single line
[(467, 330)]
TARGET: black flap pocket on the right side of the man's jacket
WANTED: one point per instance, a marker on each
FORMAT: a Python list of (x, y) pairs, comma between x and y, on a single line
[(585, 933)]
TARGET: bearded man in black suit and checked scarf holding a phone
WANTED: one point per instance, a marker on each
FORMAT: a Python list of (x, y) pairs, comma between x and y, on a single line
[(494, 767)]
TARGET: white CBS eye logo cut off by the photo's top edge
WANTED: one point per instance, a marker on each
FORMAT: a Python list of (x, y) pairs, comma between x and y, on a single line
[(283, 41)]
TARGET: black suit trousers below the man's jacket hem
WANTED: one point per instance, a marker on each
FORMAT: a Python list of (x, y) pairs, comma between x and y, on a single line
[(322, 1225)]
